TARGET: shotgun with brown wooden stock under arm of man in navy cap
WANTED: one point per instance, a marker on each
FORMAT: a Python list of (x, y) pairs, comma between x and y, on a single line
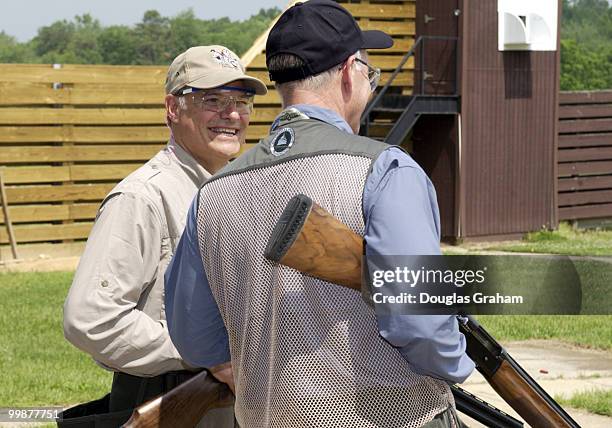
[(309, 239)]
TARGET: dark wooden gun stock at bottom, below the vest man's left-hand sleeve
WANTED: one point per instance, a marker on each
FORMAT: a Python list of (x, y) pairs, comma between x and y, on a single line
[(183, 406)]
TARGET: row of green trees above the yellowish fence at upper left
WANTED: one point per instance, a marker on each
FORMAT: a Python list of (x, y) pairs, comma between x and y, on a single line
[(154, 40)]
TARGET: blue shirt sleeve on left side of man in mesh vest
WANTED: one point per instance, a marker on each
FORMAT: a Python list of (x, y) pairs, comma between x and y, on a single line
[(194, 321)]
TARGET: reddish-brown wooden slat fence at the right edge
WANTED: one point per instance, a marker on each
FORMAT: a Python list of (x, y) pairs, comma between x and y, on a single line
[(585, 155)]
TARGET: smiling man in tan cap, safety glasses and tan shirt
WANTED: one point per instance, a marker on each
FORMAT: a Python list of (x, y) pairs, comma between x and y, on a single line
[(114, 310)]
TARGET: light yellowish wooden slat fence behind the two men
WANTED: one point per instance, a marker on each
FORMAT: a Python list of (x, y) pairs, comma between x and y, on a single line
[(69, 133)]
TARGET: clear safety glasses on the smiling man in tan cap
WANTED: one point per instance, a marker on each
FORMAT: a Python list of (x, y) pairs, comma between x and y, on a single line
[(217, 101)]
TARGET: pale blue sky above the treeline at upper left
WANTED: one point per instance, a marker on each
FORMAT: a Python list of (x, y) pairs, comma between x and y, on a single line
[(21, 18)]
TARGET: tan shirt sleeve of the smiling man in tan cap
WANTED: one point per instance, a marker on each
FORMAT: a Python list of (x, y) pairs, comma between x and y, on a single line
[(120, 261)]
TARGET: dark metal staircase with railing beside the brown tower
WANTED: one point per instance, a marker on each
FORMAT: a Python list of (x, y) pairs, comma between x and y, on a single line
[(390, 117)]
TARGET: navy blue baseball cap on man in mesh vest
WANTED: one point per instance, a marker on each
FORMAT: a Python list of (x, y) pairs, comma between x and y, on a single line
[(323, 34)]
